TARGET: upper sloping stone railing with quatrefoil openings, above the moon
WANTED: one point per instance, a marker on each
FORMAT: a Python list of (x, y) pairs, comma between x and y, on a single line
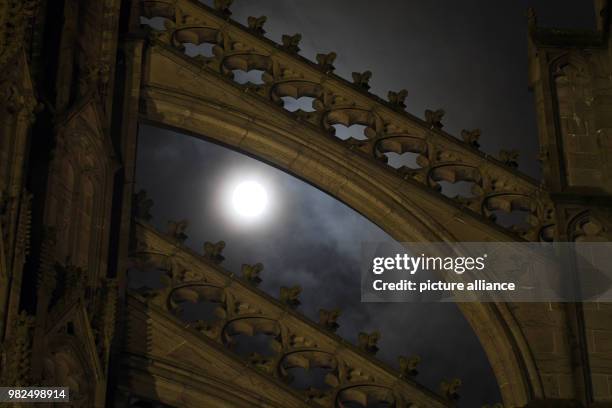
[(364, 122)]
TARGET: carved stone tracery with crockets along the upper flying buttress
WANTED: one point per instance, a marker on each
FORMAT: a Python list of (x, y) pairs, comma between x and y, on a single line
[(340, 106)]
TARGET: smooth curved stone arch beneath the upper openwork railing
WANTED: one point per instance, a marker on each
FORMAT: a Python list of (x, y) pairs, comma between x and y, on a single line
[(394, 204)]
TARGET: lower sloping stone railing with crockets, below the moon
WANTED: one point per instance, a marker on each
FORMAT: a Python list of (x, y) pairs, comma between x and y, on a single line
[(305, 355)]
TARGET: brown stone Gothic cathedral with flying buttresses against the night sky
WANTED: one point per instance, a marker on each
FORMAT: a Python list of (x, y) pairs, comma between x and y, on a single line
[(78, 78)]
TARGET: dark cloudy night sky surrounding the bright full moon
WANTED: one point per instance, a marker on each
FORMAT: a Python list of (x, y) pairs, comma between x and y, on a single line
[(468, 57)]
